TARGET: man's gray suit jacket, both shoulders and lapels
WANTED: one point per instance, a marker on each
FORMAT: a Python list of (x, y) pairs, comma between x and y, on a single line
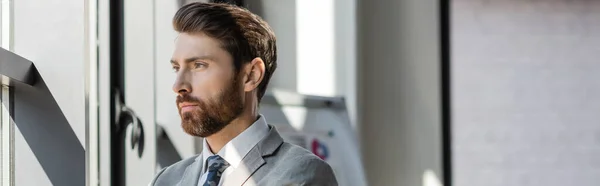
[(271, 162)]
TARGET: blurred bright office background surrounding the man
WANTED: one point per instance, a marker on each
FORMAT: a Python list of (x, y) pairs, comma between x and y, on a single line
[(402, 92)]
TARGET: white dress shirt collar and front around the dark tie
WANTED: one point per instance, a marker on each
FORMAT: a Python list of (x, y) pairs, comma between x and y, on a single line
[(234, 151)]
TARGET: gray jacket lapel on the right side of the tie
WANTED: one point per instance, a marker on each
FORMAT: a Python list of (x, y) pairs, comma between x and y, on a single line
[(254, 159)]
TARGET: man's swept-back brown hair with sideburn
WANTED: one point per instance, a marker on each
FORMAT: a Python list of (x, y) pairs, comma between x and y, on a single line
[(243, 34)]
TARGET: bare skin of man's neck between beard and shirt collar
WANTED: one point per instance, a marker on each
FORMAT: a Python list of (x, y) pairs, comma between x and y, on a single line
[(233, 129)]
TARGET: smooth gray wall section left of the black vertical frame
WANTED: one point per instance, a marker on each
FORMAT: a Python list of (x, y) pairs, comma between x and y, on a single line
[(399, 97)]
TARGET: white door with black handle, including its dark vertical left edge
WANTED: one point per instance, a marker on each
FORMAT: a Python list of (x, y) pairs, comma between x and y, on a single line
[(132, 124)]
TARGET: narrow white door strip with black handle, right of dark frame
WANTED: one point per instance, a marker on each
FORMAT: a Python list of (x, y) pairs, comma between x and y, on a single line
[(136, 125)]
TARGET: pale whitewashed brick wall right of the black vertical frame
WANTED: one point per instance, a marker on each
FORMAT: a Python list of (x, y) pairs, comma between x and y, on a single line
[(526, 93)]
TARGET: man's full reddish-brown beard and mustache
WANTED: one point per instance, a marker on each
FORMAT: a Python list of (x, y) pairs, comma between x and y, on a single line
[(213, 113)]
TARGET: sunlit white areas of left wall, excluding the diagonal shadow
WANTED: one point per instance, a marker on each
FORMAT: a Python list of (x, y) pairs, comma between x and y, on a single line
[(51, 34)]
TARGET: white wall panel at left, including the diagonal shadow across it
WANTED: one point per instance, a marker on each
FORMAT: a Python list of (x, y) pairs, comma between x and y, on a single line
[(51, 34)]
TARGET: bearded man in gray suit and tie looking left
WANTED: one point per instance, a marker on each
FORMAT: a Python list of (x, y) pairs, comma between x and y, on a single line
[(224, 57)]
